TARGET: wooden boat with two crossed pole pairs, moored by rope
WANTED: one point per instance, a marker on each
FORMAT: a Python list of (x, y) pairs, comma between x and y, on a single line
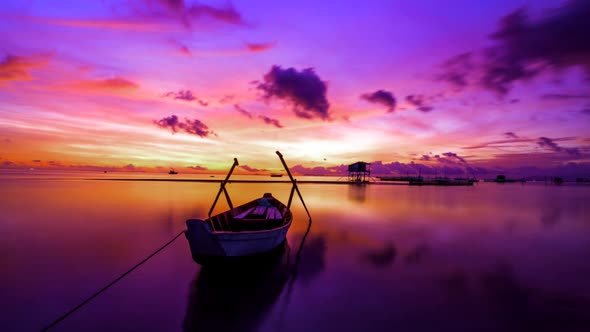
[(253, 228)]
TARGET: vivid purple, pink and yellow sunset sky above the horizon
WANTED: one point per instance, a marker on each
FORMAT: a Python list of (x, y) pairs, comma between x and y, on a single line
[(453, 87)]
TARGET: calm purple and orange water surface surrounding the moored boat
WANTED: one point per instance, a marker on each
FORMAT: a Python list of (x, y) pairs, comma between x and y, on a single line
[(491, 257)]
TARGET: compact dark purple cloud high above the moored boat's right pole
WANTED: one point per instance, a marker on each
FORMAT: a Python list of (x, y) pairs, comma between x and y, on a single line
[(303, 89)]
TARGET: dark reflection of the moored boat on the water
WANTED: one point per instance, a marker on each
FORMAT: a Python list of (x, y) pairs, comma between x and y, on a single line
[(236, 296)]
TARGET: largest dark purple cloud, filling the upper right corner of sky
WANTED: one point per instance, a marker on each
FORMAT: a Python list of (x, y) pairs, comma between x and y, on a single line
[(522, 49)]
